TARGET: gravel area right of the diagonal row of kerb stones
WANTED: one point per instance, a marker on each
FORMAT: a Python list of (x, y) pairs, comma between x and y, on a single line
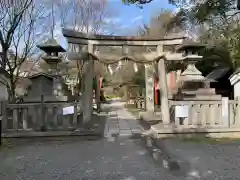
[(208, 161)]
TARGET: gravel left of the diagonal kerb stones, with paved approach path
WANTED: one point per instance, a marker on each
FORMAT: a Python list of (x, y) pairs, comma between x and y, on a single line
[(117, 156)]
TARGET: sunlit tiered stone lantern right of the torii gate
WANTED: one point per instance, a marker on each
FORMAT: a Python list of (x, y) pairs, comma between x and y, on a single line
[(193, 85)]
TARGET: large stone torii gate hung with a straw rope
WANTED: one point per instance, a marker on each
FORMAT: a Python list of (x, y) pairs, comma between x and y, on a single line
[(89, 49)]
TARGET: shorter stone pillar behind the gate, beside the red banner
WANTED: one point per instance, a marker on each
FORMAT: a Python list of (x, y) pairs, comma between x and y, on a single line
[(149, 88)]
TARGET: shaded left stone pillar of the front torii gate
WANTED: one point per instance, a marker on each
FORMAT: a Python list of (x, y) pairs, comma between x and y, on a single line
[(88, 87)]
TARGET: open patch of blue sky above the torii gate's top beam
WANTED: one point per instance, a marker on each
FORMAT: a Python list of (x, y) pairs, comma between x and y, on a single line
[(127, 18)]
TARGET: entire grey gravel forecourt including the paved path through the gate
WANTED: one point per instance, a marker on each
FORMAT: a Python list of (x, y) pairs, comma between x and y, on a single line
[(121, 155)]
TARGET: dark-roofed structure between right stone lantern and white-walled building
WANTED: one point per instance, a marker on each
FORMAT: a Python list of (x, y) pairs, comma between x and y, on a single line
[(221, 82)]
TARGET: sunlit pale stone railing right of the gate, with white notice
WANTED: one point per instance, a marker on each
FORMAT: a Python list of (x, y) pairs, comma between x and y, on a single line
[(205, 114)]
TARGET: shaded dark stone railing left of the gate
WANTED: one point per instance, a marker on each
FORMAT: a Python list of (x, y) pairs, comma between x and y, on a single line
[(38, 116)]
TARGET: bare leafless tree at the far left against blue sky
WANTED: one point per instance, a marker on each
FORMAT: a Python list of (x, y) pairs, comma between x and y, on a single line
[(19, 33)]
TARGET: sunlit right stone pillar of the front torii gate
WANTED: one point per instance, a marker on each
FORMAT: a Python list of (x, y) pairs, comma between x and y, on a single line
[(163, 88)]
